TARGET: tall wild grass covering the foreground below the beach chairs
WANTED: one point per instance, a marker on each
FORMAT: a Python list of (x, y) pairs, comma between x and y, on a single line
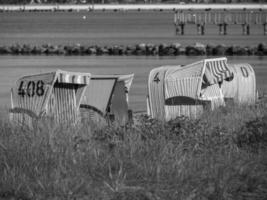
[(223, 155)]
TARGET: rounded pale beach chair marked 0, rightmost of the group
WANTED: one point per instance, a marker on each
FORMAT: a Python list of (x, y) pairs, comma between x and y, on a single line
[(241, 88)]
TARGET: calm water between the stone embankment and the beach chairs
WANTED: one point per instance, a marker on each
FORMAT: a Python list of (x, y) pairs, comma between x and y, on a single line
[(13, 67)]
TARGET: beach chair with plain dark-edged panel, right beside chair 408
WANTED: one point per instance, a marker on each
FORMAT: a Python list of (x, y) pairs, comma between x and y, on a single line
[(108, 95)]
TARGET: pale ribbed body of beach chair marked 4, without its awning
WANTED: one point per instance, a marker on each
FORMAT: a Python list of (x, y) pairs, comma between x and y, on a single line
[(172, 81)]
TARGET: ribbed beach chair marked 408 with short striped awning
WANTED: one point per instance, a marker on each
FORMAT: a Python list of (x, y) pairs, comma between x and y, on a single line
[(57, 94)]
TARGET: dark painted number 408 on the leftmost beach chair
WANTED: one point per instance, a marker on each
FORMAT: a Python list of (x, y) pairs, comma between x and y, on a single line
[(31, 88)]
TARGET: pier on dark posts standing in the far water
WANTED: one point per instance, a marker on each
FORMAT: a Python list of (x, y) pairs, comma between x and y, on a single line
[(222, 18)]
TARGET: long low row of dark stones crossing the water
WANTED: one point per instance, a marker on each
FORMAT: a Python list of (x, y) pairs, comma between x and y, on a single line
[(174, 49)]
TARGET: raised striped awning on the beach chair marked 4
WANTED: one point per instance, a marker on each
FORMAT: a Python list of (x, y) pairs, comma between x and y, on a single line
[(216, 71)]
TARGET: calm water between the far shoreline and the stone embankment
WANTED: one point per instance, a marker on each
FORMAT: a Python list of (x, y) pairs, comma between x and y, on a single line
[(109, 28)]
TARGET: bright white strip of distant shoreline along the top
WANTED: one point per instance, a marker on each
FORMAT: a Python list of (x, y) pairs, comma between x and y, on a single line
[(125, 7)]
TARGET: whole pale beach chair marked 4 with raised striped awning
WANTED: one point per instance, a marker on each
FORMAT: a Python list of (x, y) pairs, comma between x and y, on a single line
[(175, 90)]
